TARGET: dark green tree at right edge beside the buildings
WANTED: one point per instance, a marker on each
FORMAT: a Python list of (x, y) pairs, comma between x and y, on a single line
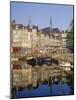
[(70, 36)]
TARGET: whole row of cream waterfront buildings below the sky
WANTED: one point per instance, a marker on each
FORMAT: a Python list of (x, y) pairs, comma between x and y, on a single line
[(25, 37)]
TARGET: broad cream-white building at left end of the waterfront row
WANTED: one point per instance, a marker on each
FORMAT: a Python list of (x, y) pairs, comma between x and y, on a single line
[(21, 37)]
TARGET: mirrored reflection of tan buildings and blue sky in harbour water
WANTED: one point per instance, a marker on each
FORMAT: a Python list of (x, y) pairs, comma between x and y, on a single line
[(50, 80)]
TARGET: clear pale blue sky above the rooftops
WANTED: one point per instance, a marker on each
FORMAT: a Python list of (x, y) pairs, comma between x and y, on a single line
[(40, 14)]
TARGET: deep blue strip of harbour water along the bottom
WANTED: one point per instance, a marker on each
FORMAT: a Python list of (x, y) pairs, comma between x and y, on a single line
[(46, 90)]
